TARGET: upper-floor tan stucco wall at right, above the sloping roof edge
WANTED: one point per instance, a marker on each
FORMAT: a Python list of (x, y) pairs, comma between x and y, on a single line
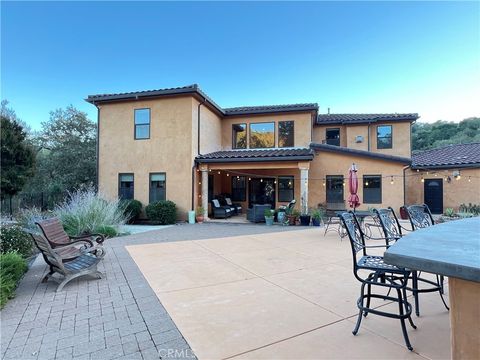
[(400, 132)]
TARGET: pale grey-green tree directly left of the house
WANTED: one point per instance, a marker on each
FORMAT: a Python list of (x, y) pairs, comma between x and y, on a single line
[(66, 159)]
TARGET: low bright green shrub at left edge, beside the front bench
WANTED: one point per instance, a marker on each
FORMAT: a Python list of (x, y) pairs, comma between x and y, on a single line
[(12, 268)]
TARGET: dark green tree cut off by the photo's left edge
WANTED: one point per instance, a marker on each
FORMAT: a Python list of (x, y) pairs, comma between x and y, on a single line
[(17, 155)]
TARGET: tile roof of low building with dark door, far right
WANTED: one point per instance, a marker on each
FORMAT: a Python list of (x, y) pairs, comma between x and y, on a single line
[(451, 156)]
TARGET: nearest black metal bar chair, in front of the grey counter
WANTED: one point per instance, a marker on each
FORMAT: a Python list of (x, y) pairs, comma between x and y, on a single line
[(373, 272)]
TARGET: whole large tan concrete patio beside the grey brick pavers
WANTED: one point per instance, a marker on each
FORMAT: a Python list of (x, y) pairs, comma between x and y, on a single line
[(281, 295)]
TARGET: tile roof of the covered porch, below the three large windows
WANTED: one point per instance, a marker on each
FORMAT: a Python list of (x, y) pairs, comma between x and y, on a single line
[(255, 155)]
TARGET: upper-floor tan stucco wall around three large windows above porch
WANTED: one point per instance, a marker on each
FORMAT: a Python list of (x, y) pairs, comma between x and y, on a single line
[(302, 127)]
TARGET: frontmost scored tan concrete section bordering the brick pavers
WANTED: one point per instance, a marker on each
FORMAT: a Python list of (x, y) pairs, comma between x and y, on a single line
[(227, 319)]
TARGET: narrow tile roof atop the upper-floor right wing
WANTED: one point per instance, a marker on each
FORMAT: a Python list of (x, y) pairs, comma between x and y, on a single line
[(325, 119)]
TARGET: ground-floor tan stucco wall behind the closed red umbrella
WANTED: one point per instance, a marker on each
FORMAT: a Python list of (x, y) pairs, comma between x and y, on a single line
[(326, 163)]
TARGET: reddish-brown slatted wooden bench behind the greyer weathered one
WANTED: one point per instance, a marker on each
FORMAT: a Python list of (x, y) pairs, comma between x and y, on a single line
[(56, 236)]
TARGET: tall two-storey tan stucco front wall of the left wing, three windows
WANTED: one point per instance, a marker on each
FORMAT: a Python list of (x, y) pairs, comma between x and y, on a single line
[(168, 149)]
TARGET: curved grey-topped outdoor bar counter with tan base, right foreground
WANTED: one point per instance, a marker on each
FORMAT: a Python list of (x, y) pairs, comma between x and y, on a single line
[(451, 249)]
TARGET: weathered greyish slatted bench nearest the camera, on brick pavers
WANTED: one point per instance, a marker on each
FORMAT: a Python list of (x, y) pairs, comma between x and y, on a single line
[(84, 264)]
